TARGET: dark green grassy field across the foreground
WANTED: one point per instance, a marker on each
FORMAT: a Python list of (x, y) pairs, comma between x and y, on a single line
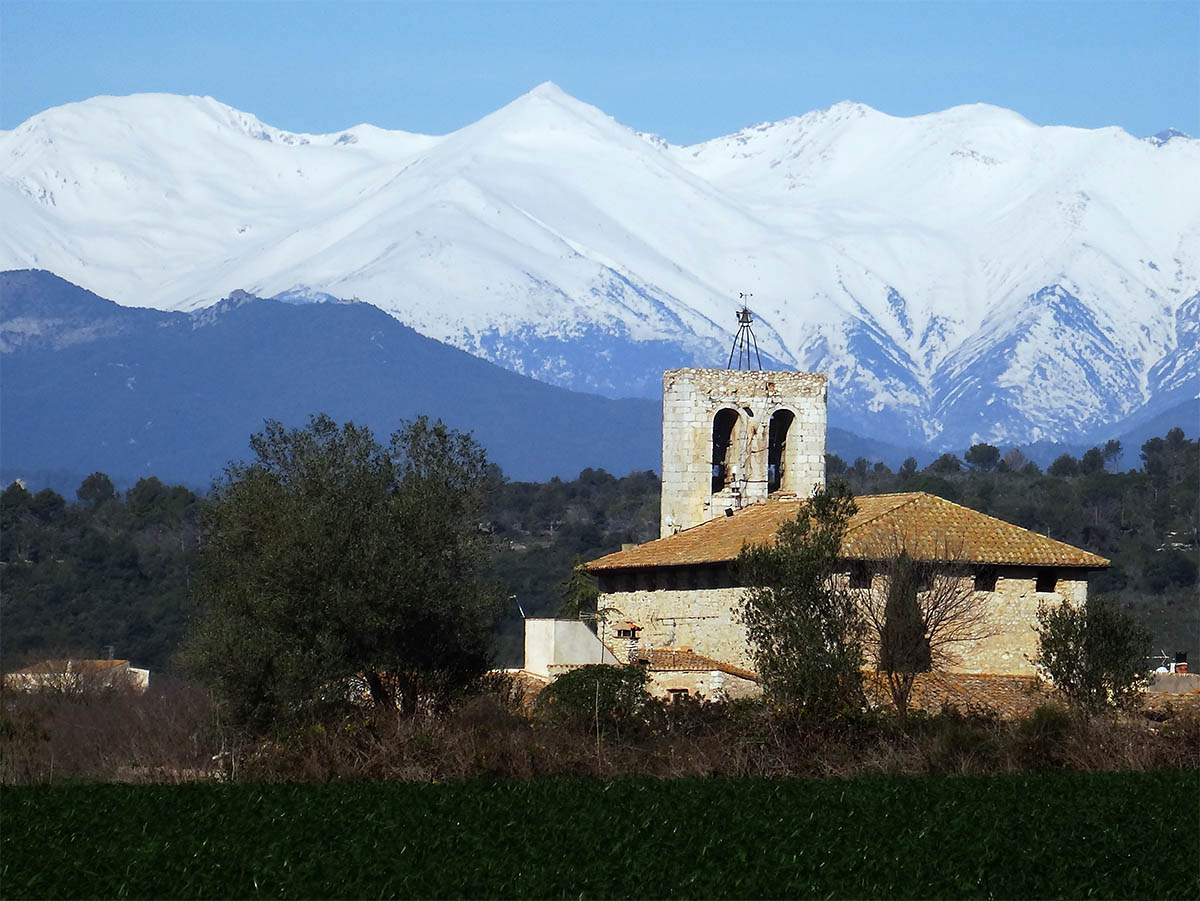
[(1064, 836)]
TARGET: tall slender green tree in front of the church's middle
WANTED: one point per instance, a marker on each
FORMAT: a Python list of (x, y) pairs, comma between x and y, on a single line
[(805, 626)]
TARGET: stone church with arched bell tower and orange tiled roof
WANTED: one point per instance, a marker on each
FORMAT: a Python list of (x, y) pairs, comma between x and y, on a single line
[(741, 450)]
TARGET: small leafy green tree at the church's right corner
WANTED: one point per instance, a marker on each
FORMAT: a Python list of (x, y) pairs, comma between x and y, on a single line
[(1097, 654)]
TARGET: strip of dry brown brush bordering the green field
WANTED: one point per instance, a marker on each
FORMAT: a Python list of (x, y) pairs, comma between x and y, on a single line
[(171, 735)]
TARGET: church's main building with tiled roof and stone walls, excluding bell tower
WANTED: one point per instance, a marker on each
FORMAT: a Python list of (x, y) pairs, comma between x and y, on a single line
[(685, 590)]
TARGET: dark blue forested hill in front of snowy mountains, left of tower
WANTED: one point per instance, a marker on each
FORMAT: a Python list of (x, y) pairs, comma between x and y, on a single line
[(93, 386)]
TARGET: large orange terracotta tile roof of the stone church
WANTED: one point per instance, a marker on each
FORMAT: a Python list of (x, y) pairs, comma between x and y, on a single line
[(929, 527)]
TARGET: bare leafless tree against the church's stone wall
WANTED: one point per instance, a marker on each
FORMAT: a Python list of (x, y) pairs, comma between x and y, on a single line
[(919, 612)]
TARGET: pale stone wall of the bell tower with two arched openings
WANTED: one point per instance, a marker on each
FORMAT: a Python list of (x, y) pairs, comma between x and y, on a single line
[(692, 399)]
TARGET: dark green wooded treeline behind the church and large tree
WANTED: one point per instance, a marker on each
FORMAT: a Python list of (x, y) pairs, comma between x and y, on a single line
[(112, 569)]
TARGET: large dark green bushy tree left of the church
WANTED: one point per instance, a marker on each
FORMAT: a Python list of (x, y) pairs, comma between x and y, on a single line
[(329, 562)]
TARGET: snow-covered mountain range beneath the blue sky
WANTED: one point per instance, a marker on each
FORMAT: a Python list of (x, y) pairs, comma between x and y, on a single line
[(963, 275)]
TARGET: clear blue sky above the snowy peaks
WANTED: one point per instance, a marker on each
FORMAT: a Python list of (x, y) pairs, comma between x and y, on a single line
[(688, 71)]
